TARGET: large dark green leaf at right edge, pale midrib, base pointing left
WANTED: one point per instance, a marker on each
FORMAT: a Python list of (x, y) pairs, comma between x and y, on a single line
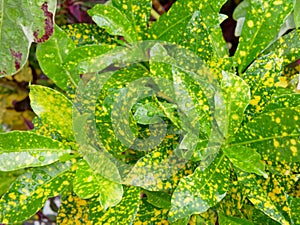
[(273, 134)]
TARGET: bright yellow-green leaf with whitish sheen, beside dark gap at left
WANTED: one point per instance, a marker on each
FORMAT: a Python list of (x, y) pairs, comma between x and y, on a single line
[(53, 108)]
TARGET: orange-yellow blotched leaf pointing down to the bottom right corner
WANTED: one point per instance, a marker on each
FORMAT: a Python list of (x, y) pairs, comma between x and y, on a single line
[(267, 195)]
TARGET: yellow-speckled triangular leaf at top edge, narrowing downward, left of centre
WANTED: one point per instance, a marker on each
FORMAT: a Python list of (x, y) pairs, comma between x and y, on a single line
[(137, 12)]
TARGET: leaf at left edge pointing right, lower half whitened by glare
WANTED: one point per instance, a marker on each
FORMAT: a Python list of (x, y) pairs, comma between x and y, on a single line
[(26, 149)]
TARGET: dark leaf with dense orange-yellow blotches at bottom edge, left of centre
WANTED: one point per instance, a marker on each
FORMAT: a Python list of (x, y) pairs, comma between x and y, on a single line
[(73, 210)]
